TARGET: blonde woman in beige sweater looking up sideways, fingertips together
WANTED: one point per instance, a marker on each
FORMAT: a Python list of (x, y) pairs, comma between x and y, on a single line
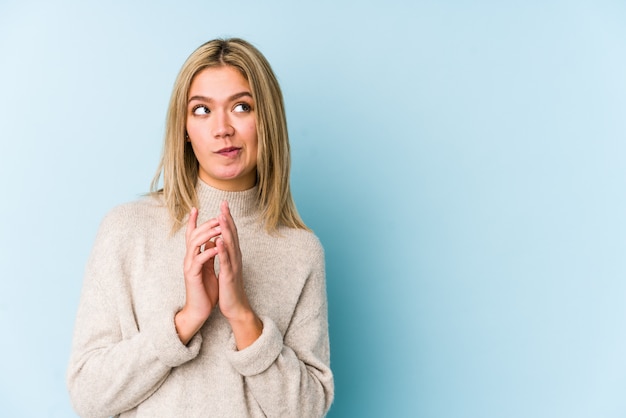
[(207, 298)]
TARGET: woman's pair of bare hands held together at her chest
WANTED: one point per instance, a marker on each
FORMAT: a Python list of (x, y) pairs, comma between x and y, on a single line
[(217, 237)]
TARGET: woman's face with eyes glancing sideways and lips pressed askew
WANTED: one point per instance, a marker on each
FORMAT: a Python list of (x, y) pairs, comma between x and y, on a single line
[(221, 125)]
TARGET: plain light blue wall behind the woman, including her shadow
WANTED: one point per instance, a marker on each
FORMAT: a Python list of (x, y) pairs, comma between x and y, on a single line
[(462, 162)]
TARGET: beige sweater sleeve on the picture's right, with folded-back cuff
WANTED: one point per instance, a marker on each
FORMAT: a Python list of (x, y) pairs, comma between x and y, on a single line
[(290, 376)]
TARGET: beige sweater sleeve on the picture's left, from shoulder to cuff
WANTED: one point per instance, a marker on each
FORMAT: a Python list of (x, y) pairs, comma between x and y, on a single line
[(114, 365)]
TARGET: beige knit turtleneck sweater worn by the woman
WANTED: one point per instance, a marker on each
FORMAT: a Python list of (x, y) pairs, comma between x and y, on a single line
[(127, 359)]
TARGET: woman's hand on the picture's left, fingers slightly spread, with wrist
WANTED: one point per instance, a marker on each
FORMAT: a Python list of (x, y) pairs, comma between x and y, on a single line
[(201, 286)]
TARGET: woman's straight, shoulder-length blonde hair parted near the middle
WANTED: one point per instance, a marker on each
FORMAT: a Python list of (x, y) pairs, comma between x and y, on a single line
[(179, 165)]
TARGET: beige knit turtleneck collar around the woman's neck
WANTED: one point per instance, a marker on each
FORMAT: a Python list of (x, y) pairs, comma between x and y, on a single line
[(242, 204)]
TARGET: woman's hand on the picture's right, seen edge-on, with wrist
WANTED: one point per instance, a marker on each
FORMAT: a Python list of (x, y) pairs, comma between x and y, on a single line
[(233, 301)]
